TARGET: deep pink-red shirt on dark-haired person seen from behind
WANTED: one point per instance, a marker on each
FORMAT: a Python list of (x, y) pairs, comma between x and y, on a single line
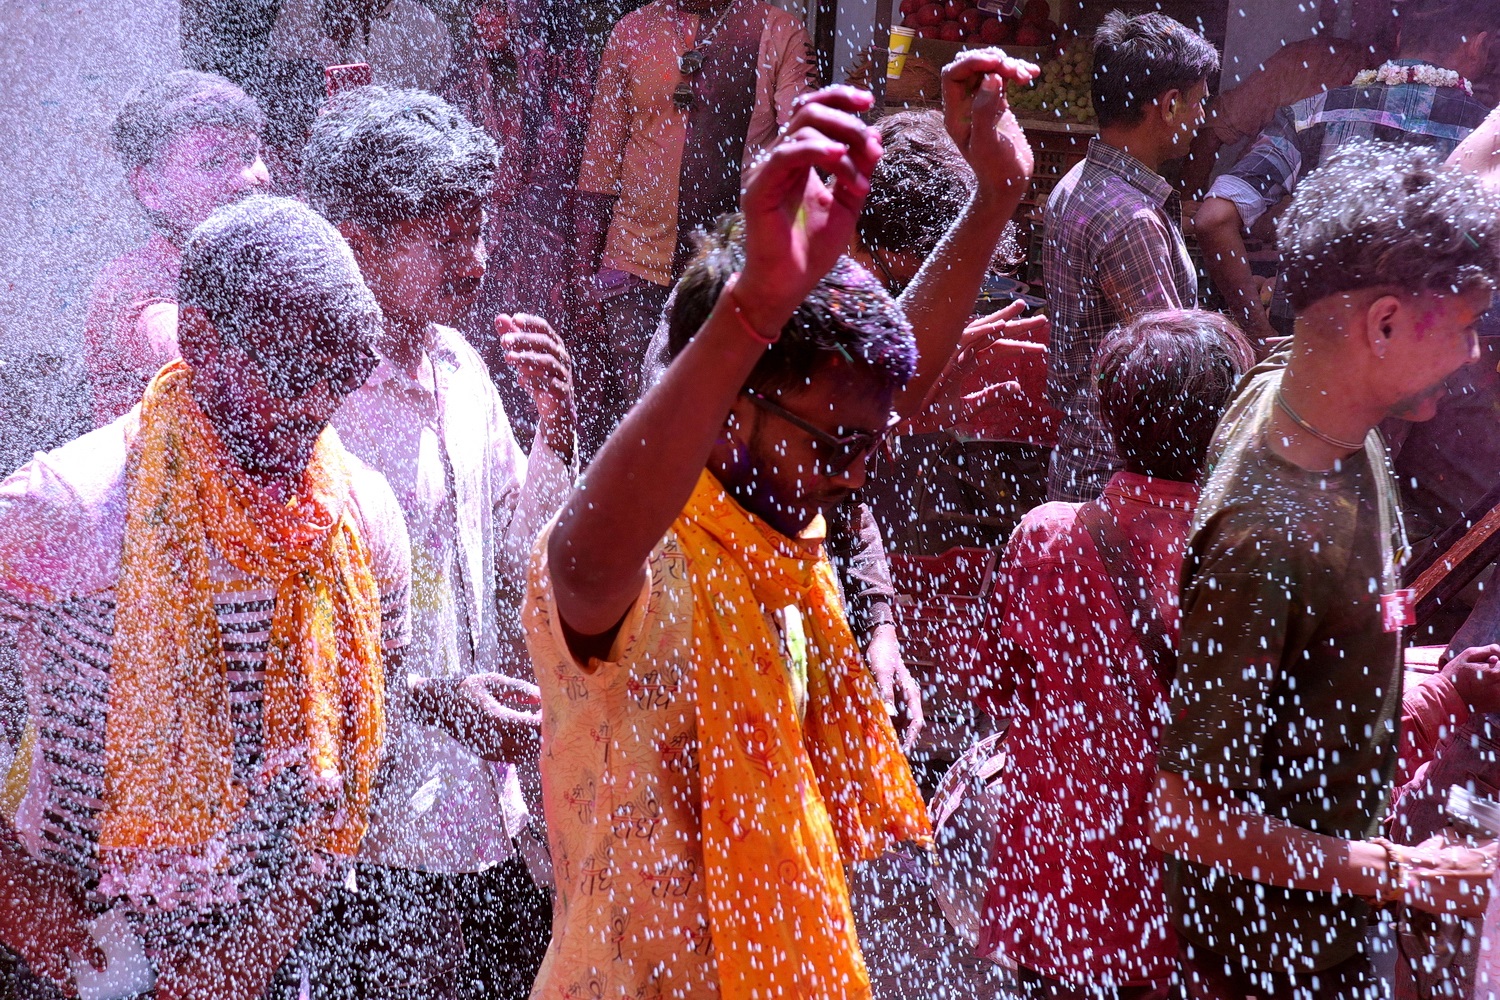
[(1079, 893)]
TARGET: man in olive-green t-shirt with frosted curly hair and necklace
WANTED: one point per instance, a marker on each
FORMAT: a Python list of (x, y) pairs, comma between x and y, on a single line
[(1279, 759)]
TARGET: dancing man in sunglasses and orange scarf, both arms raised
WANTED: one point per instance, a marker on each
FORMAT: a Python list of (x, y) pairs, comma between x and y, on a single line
[(715, 750)]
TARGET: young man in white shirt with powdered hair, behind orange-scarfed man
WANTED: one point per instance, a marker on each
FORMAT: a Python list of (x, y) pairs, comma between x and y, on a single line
[(404, 178)]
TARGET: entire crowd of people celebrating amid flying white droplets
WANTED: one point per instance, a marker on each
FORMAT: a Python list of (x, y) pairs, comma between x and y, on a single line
[(338, 669)]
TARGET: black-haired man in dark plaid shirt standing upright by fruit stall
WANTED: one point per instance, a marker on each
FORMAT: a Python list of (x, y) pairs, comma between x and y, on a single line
[(1114, 245)]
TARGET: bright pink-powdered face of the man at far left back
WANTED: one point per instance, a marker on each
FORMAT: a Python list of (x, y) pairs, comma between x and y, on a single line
[(200, 172)]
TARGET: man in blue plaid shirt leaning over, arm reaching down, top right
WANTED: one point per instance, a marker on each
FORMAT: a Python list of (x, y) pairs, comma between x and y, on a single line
[(1444, 44)]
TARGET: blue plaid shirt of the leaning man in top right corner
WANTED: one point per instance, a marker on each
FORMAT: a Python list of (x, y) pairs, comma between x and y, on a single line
[(1300, 137)]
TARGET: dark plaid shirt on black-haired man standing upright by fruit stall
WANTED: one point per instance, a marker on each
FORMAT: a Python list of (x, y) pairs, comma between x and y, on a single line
[(1114, 250)]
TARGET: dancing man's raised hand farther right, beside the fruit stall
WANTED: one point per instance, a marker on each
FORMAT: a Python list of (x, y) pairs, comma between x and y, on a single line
[(982, 125)]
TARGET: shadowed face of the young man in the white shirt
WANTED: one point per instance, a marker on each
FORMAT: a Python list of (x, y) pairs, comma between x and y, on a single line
[(427, 271)]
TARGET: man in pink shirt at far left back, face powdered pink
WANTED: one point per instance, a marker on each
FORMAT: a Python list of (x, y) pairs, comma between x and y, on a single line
[(190, 143)]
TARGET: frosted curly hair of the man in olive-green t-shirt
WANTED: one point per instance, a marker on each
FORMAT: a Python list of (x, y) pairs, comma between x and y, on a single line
[(1388, 215)]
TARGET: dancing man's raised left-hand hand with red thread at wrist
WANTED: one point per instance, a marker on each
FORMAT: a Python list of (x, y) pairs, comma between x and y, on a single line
[(797, 224)]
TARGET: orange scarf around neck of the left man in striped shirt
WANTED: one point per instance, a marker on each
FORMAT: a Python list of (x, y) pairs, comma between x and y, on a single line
[(169, 741)]
